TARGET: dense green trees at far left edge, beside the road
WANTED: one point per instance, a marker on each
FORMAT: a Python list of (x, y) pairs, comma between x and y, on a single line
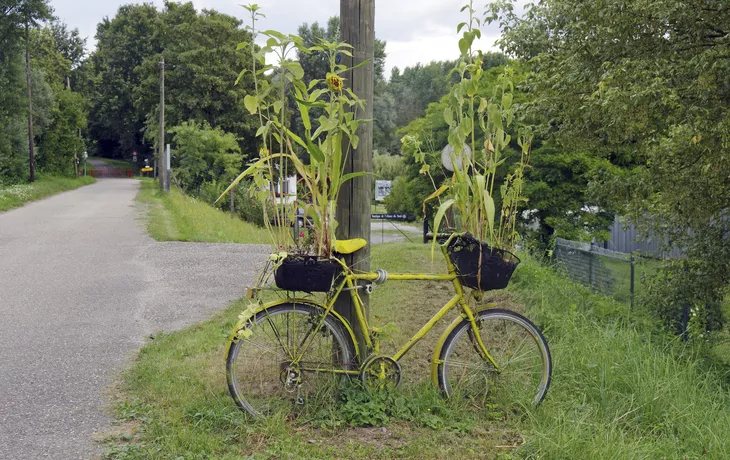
[(37, 55)]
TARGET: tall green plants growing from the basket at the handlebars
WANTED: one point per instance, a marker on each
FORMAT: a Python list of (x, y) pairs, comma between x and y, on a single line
[(470, 190)]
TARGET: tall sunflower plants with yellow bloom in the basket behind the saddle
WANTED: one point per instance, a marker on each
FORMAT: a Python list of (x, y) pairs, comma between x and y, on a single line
[(327, 140)]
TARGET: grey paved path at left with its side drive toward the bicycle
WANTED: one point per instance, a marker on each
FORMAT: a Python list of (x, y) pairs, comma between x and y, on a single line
[(81, 286)]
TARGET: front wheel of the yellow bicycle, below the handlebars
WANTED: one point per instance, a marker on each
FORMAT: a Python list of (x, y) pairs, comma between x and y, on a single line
[(524, 366)]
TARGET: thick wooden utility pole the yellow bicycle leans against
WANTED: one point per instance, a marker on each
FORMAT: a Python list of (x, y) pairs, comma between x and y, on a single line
[(357, 28)]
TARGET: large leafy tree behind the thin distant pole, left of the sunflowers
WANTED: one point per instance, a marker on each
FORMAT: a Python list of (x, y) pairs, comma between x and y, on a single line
[(200, 81)]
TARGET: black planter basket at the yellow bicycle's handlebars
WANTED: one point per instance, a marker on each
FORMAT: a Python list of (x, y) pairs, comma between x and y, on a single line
[(479, 266)]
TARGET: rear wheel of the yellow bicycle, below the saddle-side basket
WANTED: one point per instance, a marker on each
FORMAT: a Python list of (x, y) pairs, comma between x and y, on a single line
[(291, 355)]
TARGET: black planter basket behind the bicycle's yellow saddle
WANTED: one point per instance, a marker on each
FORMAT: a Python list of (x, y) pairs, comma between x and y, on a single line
[(307, 274)]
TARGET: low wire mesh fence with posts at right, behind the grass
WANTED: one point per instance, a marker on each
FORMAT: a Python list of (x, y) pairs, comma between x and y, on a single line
[(612, 273)]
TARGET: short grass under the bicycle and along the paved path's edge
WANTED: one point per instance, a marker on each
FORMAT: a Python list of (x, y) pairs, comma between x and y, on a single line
[(175, 401)]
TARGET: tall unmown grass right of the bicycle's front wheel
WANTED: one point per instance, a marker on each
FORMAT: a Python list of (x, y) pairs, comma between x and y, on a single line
[(620, 390)]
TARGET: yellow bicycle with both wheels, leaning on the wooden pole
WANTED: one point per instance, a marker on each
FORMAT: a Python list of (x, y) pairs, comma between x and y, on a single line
[(297, 351)]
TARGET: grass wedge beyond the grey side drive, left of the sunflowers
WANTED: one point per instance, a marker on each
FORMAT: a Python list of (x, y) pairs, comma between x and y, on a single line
[(176, 217)]
